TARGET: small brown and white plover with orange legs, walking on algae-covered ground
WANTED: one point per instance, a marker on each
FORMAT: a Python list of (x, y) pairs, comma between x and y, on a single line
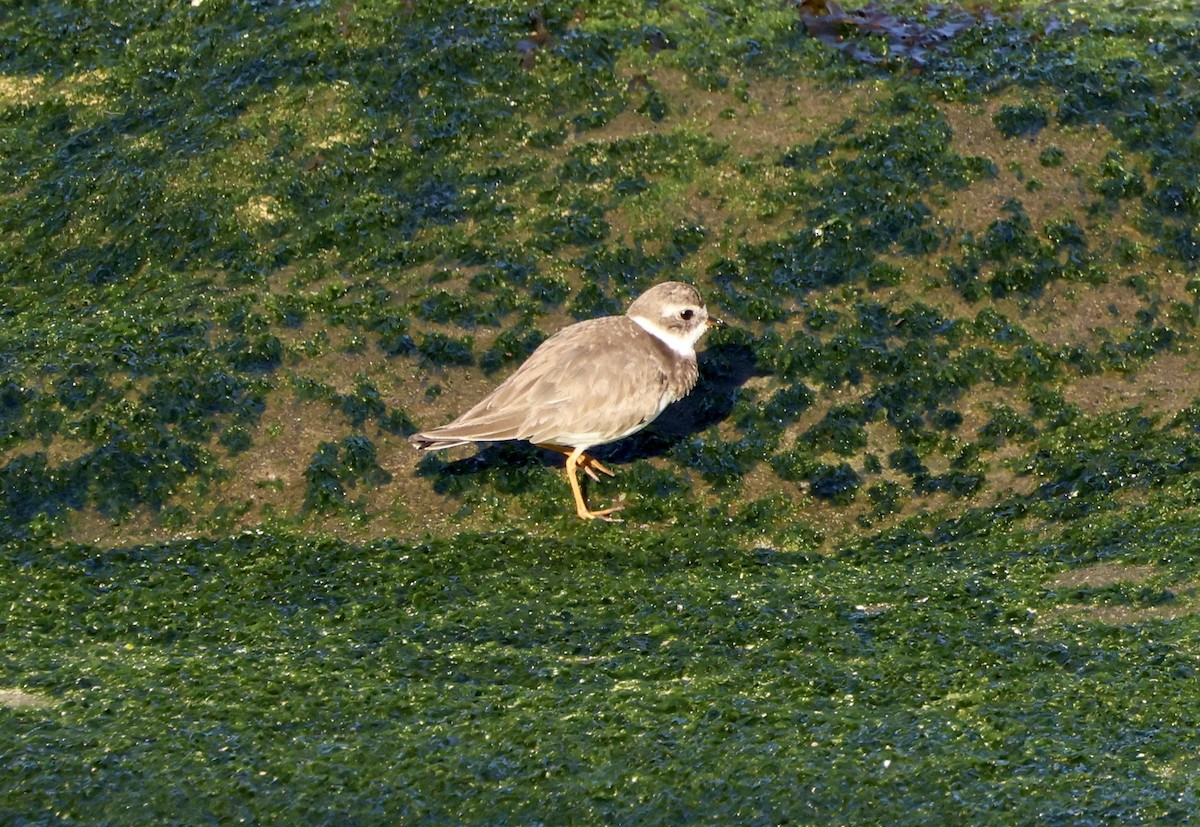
[(592, 383)]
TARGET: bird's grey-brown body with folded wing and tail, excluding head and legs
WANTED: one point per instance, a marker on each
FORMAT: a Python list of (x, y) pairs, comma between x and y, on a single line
[(591, 383)]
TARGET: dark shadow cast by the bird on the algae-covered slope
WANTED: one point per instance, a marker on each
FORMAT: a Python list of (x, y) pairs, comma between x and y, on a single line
[(724, 369)]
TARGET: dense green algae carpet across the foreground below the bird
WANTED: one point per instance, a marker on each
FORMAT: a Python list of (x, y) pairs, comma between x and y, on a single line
[(506, 675)]
